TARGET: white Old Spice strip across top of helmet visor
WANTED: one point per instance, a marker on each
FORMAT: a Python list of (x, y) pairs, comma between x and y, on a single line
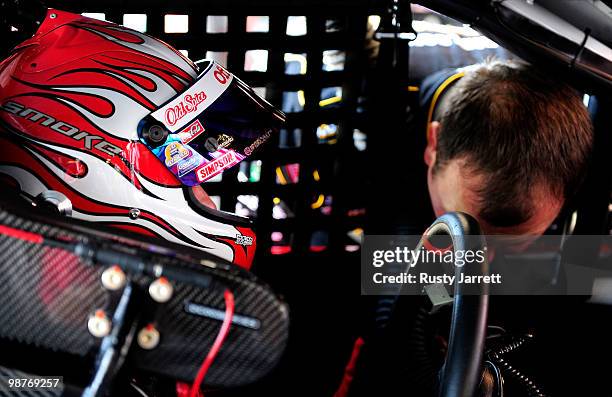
[(189, 104)]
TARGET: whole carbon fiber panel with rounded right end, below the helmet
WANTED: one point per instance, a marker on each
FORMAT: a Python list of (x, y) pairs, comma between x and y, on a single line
[(51, 292)]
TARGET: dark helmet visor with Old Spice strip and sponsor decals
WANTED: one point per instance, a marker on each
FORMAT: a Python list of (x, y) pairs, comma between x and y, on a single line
[(212, 126)]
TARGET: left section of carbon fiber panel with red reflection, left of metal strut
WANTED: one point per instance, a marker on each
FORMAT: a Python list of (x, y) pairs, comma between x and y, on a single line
[(48, 294)]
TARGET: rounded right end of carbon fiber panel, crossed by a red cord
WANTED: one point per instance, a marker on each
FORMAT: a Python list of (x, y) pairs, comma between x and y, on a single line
[(246, 355)]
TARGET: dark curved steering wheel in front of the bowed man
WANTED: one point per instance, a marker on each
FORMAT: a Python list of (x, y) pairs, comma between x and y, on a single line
[(461, 371)]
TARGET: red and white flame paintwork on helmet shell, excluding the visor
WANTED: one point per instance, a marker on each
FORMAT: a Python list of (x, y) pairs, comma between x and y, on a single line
[(120, 76)]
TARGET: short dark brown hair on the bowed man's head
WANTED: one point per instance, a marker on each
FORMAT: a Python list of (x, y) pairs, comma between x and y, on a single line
[(520, 129)]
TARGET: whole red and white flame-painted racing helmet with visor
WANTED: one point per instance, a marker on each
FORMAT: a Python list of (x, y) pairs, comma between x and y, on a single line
[(126, 128)]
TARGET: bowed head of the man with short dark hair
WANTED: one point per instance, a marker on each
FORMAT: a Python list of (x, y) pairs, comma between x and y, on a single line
[(508, 146)]
